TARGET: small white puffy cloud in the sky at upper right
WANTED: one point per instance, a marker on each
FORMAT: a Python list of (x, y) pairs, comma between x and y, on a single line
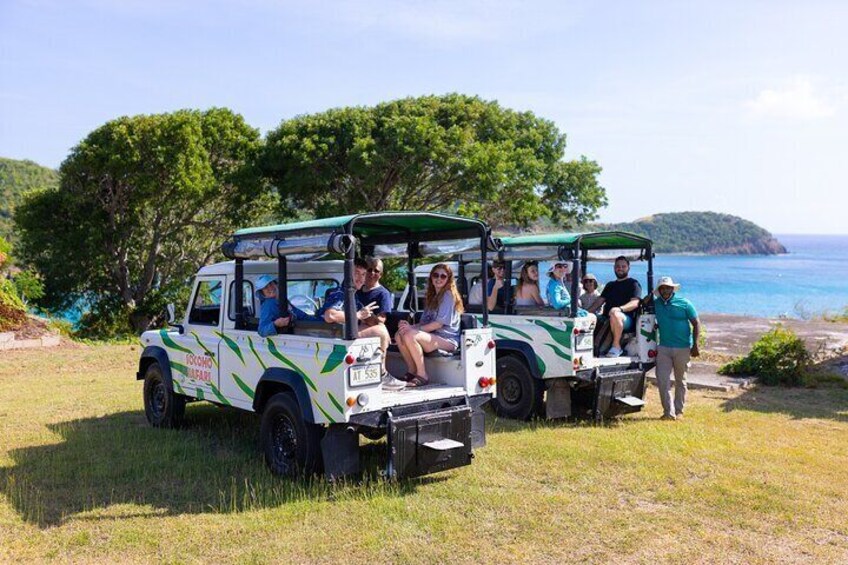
[(798, 100)]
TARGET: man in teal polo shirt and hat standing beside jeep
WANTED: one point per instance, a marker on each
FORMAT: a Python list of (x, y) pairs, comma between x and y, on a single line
[(679, 328)]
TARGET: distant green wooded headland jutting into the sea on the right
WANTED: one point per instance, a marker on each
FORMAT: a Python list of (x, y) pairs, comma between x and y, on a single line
[(701, 232)]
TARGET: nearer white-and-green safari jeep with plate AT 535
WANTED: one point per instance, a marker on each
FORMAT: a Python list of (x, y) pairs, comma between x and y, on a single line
[(318, 386)]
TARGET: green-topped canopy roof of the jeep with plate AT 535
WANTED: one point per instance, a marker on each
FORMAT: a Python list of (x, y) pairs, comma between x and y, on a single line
[(379, 233)]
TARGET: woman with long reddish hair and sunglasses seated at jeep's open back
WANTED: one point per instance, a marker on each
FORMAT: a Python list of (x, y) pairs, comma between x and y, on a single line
[(438, 328)]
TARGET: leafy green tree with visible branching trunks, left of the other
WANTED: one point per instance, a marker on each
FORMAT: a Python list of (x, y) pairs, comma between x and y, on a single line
[(143, 202)]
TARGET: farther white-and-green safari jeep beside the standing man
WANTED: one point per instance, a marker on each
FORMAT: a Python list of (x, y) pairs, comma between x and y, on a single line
[(549, 363)]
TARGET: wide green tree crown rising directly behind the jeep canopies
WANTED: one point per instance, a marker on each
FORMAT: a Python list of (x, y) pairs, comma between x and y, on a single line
[(451, 152)]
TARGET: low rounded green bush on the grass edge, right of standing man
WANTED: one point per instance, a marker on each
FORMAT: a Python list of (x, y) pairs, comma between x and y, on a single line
[(779, 357)]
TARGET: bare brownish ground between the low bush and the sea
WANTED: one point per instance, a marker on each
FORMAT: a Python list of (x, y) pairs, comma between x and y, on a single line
[(729, 335)]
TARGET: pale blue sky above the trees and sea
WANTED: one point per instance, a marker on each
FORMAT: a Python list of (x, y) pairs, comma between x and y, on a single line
[(736, 107)]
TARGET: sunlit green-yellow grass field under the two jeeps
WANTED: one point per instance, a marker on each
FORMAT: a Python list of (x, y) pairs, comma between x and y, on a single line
[(755, 476)]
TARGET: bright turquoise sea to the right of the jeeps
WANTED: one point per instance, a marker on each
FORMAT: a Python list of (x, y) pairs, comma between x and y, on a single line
[(810, 280)]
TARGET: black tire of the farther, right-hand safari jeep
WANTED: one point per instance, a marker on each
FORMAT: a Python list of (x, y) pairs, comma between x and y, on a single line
[(519, 394)]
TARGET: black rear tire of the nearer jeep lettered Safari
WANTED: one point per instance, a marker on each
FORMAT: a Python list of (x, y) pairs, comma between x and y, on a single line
[(292, 447)]
